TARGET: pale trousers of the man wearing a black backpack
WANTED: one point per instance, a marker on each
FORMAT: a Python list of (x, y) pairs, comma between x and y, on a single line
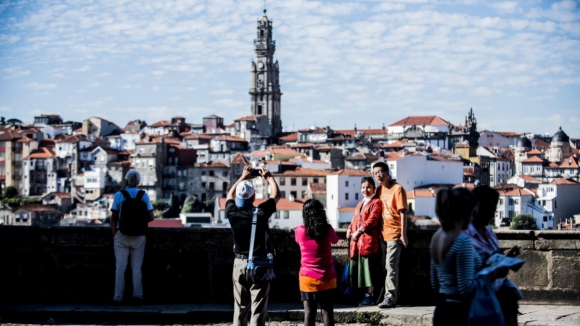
[(126, 247)]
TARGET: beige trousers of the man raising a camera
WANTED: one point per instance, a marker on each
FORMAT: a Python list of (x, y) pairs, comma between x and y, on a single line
[(246, 295)]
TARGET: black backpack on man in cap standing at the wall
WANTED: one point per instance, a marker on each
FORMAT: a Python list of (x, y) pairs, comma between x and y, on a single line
[(134, 217)]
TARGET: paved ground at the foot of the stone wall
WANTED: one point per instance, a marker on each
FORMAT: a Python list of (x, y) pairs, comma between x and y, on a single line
[(286, 314)]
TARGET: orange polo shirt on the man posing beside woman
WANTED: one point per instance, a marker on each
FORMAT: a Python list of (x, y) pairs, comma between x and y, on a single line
[(394, 201)]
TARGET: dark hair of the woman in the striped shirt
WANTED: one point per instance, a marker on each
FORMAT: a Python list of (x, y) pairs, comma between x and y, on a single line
[(454, 205)]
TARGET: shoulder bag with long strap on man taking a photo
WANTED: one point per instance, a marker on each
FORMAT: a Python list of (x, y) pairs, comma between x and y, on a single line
[(258, 270)]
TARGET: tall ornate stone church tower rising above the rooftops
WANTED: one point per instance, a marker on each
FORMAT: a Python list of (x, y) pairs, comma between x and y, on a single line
[(265, 88)]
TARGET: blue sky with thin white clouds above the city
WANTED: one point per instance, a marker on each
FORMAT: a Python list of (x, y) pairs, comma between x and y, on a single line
[(342, 63)]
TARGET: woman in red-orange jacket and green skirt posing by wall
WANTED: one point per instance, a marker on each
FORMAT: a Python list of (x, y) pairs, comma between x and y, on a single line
[(364, 245)]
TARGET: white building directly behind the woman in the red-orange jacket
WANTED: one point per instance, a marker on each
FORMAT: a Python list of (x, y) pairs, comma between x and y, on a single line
[(343, 190)]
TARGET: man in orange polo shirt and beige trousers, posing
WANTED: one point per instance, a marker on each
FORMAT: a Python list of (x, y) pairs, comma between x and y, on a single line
[(394, 229)]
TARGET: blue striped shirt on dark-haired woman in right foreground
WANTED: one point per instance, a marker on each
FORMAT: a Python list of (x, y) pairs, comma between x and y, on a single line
[(456, 273)]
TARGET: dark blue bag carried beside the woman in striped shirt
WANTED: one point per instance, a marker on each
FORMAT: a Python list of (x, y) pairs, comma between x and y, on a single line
[(485, 309)]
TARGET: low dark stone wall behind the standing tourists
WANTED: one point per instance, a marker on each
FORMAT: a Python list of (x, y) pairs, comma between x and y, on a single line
[(194, 265)]
